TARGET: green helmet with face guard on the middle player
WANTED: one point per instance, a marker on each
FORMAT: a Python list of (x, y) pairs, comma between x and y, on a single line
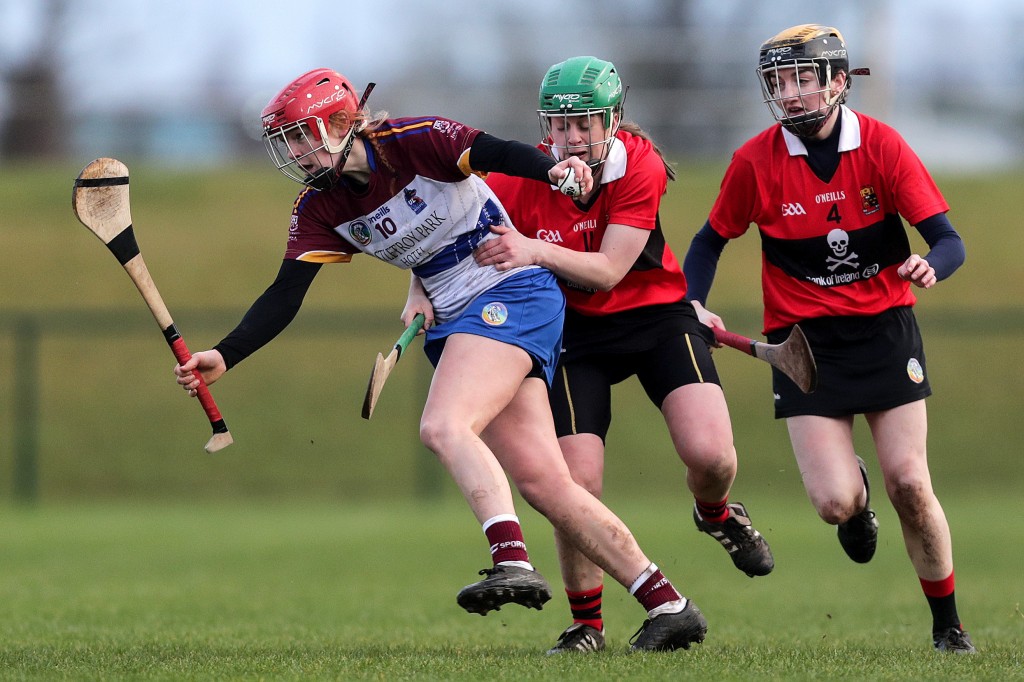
[(582, 87)]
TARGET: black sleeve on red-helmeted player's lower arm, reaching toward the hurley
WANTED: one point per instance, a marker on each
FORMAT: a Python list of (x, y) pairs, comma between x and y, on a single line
[(271, 314)]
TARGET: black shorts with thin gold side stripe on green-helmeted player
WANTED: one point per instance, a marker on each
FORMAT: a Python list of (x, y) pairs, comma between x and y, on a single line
[(664, 347)]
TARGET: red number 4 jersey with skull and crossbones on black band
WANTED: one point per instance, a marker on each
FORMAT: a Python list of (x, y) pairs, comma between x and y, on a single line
[(829, 248)]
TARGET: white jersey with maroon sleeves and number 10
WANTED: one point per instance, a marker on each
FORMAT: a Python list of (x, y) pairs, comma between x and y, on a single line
[(423, 209)]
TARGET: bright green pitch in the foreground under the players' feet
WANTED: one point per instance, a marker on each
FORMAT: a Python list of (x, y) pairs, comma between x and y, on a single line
[(367, 592)]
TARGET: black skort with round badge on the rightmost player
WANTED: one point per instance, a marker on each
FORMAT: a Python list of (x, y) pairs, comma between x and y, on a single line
[(865, 365)]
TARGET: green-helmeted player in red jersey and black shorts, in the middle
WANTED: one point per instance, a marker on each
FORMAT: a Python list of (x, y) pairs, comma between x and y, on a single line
[(627, 316)]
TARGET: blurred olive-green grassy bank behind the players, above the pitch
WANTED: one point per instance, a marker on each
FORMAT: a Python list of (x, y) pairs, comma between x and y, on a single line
[(111, 423)]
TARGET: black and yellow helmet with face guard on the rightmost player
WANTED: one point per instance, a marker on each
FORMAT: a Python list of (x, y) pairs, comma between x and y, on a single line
[(786, 57)]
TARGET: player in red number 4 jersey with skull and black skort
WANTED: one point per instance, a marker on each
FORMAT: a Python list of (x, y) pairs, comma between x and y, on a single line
[(829, 189)]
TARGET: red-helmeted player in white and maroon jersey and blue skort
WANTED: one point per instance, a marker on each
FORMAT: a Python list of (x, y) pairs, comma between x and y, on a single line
[(408, 192)]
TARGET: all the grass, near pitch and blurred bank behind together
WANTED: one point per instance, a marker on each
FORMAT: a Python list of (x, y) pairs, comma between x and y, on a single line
[(323, 546)]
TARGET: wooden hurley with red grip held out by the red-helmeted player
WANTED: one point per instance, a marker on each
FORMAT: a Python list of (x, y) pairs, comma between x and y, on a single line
[(101, 202)]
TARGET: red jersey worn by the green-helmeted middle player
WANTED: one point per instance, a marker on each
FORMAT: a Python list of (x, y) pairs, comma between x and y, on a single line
[(632, 184)]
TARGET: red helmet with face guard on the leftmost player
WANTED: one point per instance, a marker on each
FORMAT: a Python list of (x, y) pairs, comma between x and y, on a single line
[(297, 127)]
